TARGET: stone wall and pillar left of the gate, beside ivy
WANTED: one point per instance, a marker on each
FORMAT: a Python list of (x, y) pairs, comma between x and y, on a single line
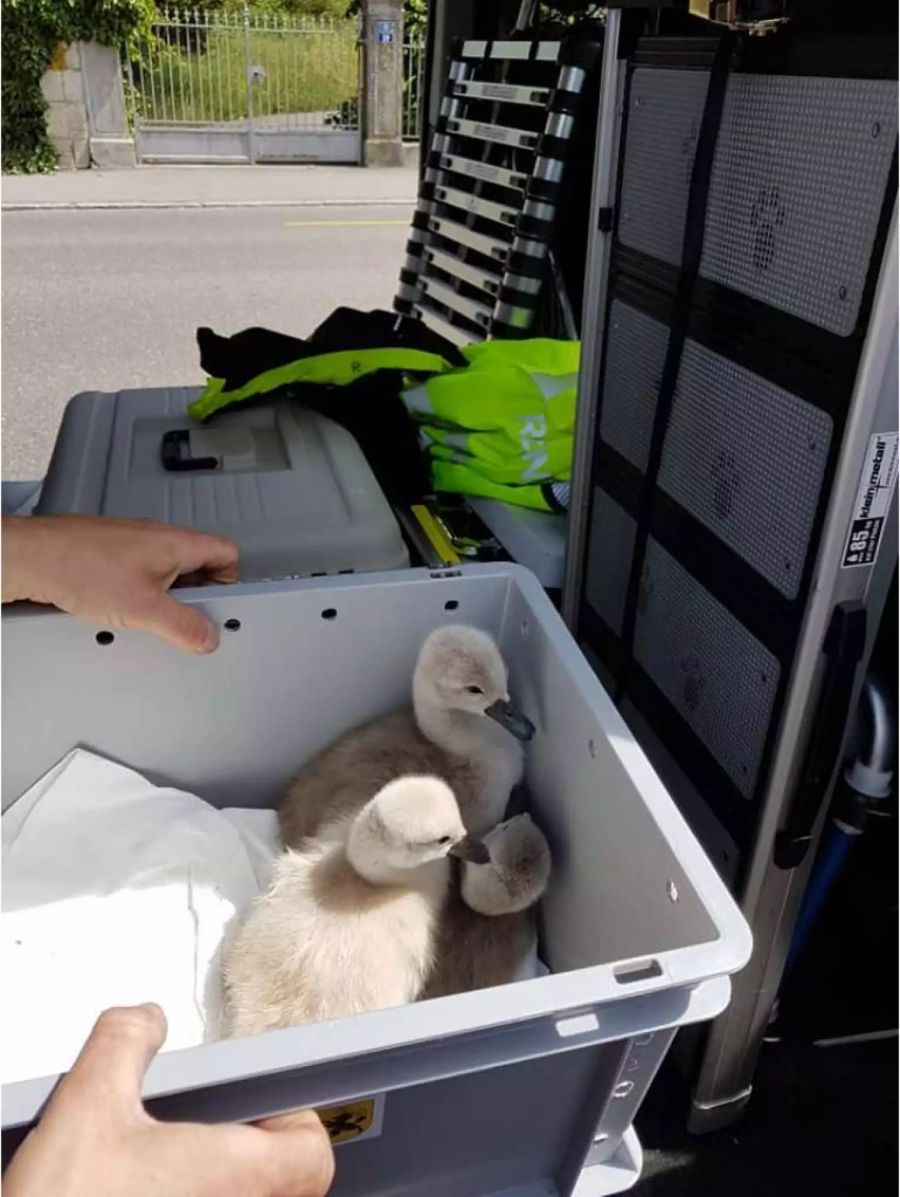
[(87, 119)]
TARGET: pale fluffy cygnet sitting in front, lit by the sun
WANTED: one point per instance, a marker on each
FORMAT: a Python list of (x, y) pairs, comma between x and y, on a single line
[(349, 923)]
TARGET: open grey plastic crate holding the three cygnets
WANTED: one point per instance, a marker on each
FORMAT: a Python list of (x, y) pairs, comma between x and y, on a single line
[(524, 1090)]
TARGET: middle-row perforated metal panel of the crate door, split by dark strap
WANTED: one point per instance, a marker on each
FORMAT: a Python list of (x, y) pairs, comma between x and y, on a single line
[(744, 457)]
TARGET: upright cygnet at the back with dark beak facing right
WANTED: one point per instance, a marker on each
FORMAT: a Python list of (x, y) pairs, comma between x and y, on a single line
[(463, 728)]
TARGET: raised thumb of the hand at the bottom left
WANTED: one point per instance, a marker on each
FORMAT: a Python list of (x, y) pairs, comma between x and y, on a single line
[(112, 1066)]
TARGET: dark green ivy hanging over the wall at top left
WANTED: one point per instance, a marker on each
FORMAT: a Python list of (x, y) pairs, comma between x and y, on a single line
[(32, 32)]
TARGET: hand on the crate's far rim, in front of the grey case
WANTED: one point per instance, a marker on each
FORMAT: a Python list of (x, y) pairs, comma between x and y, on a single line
[(117, 573)]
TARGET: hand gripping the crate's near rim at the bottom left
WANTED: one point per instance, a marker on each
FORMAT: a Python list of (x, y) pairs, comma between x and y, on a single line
[(96, 1139)]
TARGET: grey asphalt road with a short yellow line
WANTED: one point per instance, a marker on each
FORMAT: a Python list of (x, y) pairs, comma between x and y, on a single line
[(104, 301)]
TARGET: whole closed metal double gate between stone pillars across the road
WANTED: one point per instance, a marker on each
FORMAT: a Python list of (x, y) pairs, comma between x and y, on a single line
[(245, 87)]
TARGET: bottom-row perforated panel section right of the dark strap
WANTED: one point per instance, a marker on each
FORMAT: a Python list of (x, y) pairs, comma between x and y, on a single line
[(719, 677)]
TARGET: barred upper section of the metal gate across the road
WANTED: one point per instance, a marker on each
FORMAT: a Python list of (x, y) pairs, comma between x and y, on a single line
[(244, 66)]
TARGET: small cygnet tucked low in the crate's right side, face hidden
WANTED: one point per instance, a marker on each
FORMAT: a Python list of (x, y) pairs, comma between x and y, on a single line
[(488, 927)]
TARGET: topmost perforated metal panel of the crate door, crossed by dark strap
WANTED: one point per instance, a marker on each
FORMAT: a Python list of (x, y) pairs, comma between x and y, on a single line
[(796, 191)]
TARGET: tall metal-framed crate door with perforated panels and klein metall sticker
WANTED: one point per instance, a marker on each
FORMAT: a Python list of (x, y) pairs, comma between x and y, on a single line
[(734, 534)]
